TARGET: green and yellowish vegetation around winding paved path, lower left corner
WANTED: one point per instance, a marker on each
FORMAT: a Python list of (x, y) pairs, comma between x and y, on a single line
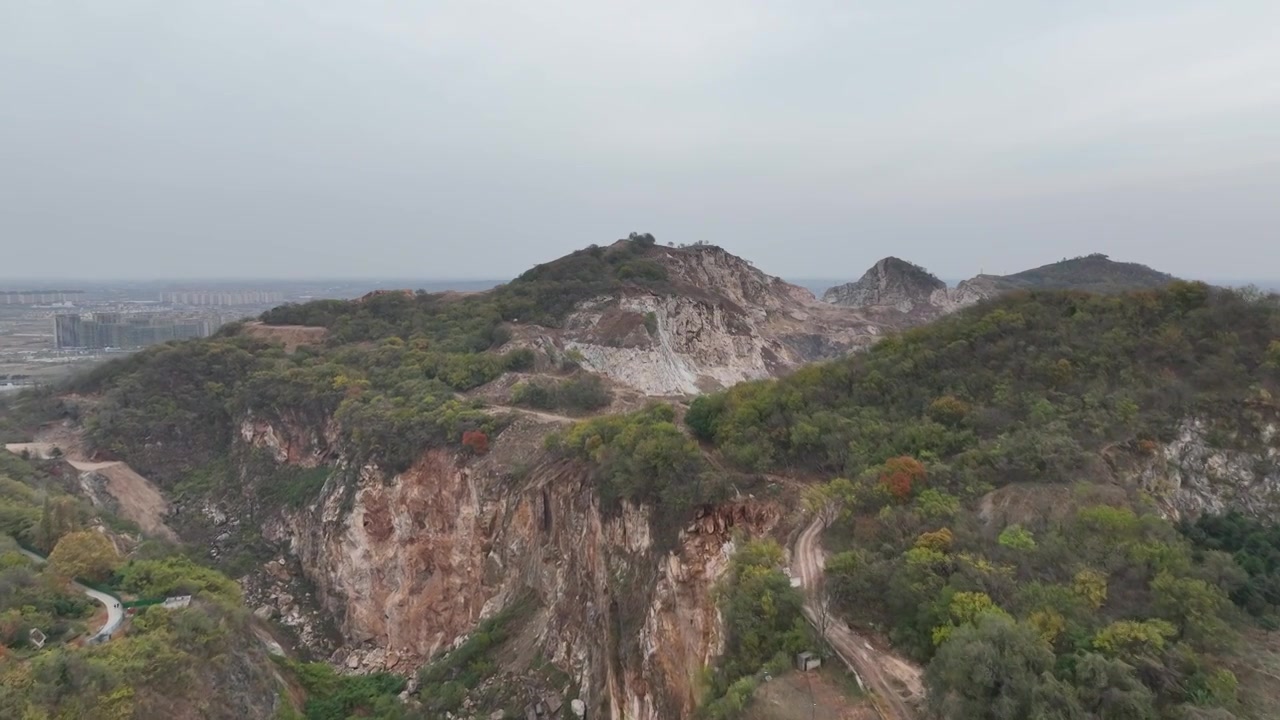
[(168, 663)]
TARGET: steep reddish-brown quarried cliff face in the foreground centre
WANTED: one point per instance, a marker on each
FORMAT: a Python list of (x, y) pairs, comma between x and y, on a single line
[(409, 566)]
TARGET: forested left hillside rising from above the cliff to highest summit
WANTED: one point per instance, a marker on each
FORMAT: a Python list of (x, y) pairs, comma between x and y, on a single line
[(390, 373)]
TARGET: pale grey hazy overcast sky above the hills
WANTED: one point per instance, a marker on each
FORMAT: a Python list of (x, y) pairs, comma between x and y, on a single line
[(474, 139)]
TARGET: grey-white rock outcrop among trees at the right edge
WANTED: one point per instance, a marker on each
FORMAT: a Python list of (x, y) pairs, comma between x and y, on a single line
[(1204, 472)]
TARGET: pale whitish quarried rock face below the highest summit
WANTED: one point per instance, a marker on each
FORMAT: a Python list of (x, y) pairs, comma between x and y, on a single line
[(725, 322)]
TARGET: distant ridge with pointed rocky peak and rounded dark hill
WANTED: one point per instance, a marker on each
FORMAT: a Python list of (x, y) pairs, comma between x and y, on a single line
[(894, 286)]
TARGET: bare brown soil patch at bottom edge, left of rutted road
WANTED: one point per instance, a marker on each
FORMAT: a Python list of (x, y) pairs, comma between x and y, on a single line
[(810, 696)]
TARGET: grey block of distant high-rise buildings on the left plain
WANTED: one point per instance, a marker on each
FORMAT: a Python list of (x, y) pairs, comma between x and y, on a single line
[(100, 331)]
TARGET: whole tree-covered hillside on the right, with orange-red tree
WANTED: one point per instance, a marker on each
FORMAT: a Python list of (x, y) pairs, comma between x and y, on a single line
[(1089, 605)]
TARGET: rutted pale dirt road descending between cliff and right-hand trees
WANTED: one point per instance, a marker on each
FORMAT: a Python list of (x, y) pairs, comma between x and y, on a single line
[(893, 681)]
